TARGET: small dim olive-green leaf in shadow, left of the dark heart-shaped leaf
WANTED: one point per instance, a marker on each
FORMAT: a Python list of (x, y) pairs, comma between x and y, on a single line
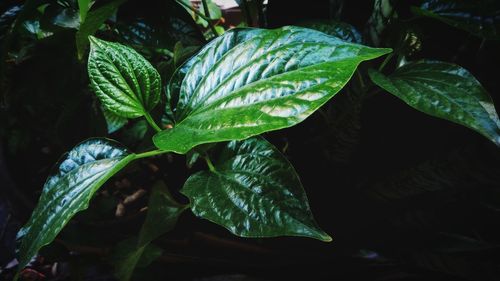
[(163, 212)]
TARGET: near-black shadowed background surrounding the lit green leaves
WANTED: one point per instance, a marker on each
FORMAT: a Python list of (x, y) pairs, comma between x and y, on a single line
[(405, 196)]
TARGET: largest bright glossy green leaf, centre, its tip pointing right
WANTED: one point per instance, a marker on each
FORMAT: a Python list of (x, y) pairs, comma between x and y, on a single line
[(249, 81)]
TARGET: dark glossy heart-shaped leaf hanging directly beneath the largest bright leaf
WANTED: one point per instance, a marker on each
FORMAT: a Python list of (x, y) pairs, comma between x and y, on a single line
[(253, 192)]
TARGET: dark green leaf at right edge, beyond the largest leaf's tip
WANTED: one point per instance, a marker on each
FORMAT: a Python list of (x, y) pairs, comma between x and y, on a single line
[(446, 91)]
